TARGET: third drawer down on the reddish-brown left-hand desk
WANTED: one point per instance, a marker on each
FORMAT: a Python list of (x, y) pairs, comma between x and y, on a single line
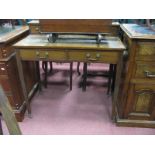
[(4, 81)]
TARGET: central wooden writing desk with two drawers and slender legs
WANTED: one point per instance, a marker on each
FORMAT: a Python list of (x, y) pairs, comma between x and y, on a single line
[(79, 49)]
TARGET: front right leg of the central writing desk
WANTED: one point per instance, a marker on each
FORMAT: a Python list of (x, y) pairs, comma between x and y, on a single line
[(117, 86)]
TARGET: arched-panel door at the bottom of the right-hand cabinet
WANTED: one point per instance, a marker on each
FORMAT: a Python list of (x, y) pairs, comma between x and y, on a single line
[(141, 102)]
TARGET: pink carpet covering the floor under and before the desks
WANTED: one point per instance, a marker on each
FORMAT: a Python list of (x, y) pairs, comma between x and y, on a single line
[(56, 110)]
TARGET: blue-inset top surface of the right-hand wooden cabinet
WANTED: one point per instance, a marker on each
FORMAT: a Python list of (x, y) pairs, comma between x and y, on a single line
[(136, 31)]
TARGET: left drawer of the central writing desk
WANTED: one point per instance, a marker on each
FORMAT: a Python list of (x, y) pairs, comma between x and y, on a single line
[(54, 55)]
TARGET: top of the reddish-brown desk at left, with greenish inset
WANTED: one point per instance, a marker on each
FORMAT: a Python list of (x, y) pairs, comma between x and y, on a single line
[(7, 34)]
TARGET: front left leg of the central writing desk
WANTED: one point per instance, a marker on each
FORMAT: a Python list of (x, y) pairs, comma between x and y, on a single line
[(21, 76)]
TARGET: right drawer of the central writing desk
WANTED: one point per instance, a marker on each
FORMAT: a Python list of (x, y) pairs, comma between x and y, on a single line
[(91, 56)]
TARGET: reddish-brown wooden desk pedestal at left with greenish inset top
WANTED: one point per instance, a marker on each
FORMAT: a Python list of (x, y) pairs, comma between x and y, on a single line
[(9, 75)]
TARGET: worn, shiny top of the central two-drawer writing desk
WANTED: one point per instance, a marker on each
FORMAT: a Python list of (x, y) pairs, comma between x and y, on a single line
[(68, 42)]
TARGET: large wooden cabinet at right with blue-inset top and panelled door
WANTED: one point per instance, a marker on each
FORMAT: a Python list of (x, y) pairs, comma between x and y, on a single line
[(137, 102)]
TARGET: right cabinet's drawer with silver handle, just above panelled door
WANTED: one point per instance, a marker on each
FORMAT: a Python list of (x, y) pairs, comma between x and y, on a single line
[(145, 70)]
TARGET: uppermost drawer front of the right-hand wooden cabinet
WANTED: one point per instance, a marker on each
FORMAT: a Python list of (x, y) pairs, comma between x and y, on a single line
[(145, 51)]
